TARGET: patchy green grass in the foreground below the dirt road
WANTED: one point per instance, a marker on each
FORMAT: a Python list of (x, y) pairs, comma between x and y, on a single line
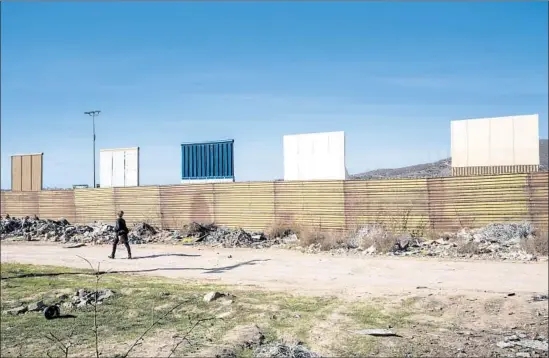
[(140, 300)]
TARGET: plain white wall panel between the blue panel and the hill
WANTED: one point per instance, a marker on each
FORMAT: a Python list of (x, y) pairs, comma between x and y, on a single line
[(315, 156)]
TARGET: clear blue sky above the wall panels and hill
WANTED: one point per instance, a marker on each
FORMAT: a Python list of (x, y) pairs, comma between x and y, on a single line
[(391, 75)]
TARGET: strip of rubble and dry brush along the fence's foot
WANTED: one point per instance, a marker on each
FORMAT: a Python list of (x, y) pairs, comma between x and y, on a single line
[(494, 241)]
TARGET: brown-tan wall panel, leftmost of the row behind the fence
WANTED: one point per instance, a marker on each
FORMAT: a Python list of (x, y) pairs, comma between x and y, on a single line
[(26, 172)]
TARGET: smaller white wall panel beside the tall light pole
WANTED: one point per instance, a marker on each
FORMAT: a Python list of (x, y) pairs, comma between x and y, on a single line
[(119, 167)]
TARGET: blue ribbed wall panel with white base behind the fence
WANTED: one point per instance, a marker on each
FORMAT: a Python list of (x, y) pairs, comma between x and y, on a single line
[(212, 160)]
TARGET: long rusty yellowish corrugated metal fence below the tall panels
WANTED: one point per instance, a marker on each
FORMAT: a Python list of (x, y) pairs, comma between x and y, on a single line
[(441, 204)]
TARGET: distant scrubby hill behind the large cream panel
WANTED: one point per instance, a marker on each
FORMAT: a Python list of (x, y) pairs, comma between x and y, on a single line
[(441, 168)]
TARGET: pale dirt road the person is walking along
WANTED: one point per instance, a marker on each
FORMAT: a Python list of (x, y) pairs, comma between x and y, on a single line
[(296, 272)]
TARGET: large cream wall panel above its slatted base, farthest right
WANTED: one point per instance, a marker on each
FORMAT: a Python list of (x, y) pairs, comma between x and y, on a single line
[(498, 141)]
